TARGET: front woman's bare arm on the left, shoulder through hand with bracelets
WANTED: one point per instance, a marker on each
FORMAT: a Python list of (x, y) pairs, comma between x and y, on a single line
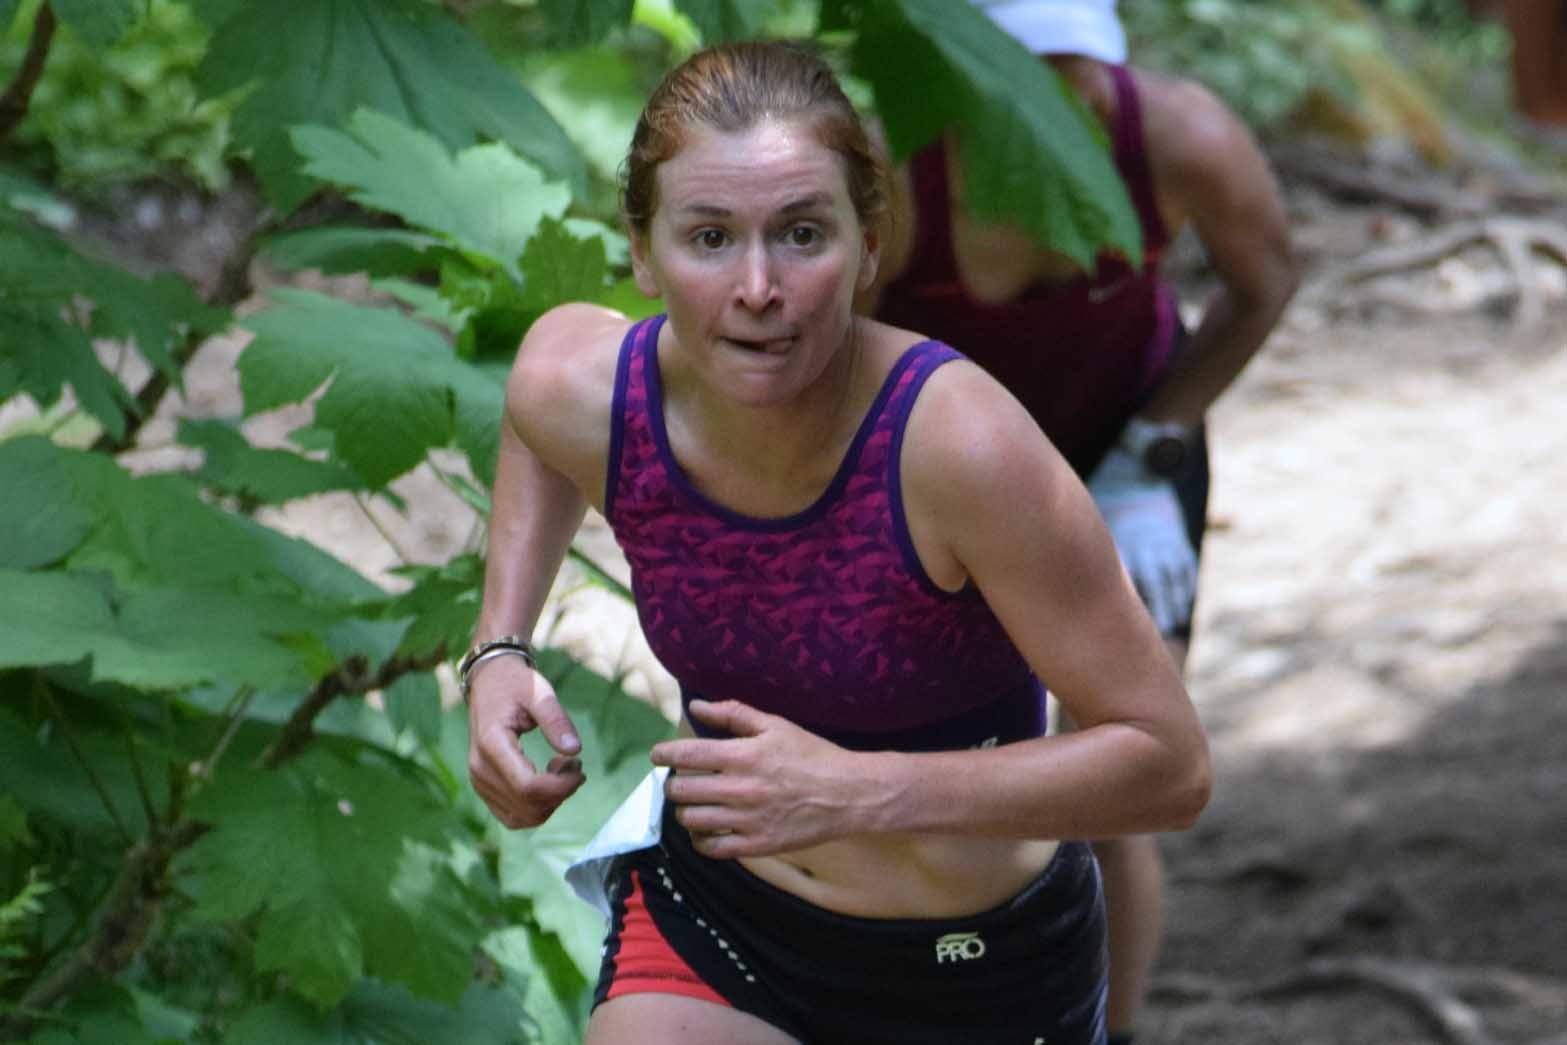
[(554, 444)]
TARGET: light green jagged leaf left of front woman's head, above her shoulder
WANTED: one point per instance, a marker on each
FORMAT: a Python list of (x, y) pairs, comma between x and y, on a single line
[(485, 200)]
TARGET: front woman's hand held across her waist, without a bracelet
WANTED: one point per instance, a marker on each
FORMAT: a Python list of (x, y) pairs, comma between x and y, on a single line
[(770, 787)]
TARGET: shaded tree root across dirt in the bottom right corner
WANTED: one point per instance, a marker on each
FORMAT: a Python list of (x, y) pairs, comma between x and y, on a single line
[(1430, 993)]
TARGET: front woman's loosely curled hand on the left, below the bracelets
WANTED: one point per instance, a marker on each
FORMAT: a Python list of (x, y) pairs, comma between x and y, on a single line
[(507, 701)]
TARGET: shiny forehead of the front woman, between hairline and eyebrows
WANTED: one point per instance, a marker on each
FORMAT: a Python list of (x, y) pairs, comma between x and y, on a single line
[(773, 164)]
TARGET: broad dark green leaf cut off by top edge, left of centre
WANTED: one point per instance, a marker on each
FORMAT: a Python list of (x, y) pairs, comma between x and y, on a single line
[(407, 59)]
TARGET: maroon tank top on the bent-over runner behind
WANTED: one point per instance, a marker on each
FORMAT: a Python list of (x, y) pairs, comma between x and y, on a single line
[(1082, 356)]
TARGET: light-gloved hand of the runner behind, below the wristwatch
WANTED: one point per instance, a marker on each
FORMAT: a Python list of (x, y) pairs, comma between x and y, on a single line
[(1146, 521)]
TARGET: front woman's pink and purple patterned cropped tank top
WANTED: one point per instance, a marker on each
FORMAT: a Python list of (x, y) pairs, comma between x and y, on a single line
[(827, 617)]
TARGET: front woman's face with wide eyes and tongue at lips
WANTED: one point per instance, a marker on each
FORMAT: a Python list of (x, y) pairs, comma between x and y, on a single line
[(758, 253)]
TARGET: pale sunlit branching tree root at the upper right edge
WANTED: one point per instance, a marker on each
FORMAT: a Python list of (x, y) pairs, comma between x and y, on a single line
[(1516, 240)]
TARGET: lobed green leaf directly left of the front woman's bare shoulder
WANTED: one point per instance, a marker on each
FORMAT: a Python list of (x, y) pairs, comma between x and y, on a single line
[(396, 389)]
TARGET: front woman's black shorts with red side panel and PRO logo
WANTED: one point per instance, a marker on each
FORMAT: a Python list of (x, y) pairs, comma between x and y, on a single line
[(1032, 971)]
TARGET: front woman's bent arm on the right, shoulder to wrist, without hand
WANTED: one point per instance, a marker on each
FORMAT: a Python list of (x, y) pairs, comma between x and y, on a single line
[(991, 501)]
